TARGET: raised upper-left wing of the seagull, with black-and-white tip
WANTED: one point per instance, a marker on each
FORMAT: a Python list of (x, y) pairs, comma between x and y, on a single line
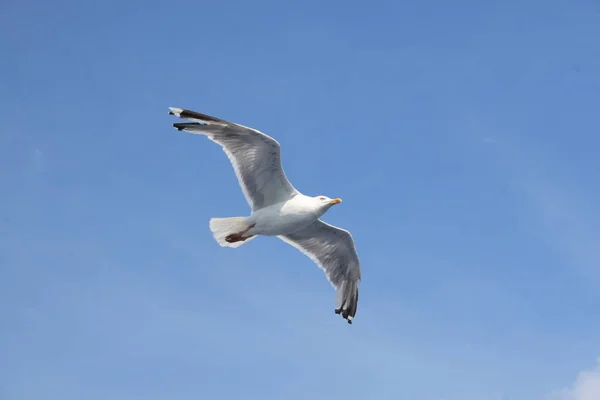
[(255, 157)]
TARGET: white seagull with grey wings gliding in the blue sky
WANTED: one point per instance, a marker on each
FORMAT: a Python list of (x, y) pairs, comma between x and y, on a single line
[(277, 208)]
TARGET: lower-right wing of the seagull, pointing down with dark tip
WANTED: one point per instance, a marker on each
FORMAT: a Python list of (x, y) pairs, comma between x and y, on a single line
[(333, 250)]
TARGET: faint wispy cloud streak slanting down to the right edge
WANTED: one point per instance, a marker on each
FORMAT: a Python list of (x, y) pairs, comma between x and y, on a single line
[(562, 213)]
